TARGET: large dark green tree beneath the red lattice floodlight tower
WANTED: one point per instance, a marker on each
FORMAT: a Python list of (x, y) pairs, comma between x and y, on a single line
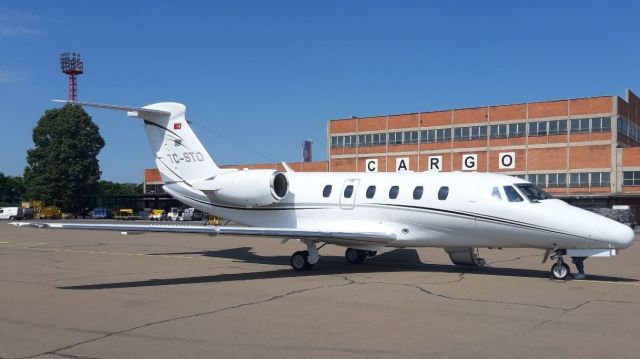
[(63, 170)]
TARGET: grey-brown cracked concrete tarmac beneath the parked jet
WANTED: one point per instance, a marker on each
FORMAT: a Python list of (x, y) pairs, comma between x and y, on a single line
[(88, 294)]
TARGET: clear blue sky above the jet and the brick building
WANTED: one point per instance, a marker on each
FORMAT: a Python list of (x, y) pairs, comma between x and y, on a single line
[(268, 74)]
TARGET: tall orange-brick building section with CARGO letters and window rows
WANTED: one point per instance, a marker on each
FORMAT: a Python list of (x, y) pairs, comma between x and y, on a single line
[(574, 147)]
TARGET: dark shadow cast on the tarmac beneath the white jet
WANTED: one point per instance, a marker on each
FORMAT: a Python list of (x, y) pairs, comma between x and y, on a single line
[(399, 260)]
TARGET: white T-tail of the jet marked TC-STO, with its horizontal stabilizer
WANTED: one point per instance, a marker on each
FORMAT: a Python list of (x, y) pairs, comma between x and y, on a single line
[(180, 156)]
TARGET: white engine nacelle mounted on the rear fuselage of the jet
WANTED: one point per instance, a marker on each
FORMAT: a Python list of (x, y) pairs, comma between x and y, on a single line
[(250, 188)]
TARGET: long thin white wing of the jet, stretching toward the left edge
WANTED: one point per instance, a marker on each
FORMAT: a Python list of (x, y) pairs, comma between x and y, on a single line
[(346, 238)]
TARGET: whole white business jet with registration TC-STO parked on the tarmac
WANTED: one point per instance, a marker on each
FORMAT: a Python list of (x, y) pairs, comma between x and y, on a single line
[(365, 212)]
